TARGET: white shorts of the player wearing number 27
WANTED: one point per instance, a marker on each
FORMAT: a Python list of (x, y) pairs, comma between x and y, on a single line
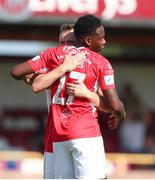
[(80, 158)]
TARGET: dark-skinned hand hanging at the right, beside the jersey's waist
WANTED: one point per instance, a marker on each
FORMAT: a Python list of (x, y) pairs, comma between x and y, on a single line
[(113, 121)]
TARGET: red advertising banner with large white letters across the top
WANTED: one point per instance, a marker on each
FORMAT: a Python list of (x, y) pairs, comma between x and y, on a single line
[(58, 11)]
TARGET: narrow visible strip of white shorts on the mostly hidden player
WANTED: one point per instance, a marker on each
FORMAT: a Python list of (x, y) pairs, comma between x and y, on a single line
[(48, 165)]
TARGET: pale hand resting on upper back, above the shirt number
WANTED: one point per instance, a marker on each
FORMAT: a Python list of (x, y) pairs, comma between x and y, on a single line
[(72, 61)]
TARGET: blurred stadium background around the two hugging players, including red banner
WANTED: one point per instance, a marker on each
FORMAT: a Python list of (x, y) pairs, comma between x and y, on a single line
[(29, 26)]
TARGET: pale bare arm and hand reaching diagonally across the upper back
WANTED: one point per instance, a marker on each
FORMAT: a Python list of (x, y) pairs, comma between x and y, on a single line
[(44, 81)]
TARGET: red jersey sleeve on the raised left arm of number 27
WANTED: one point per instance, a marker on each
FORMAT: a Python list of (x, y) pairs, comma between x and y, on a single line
[(40, 63)]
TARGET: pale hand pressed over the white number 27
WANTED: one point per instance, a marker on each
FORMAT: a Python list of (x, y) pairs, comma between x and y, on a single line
[(78, 89)]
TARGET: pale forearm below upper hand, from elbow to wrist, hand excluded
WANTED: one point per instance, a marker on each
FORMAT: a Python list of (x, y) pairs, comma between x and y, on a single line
[(44, 81)]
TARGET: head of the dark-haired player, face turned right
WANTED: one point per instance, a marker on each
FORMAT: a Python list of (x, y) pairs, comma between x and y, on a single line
[(89, 32)]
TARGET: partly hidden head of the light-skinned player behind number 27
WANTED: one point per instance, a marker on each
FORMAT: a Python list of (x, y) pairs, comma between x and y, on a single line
[(66, 35)]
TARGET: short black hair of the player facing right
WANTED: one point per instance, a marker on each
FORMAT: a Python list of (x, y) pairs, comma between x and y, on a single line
[(86, 25)]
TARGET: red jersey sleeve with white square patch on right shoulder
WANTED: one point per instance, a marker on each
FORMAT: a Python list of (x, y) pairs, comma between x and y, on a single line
[(106, 76)]
